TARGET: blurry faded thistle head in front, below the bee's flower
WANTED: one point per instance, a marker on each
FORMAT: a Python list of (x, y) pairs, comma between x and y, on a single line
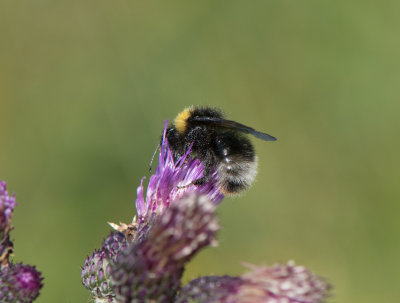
[(150, 270)]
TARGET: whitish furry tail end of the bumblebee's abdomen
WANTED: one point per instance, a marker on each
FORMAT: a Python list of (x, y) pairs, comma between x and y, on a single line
[(236, 176)]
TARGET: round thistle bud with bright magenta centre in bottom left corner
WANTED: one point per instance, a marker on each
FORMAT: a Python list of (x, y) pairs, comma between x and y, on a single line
[(19, 283)]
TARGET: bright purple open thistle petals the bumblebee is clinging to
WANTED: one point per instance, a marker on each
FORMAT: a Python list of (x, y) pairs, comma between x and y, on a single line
[(173, 180)]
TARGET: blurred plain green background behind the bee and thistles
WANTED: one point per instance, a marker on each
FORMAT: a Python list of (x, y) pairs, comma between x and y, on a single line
[(85, 87)]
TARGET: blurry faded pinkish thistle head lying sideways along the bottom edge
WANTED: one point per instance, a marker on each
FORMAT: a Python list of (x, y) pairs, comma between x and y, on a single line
[(276, 284)]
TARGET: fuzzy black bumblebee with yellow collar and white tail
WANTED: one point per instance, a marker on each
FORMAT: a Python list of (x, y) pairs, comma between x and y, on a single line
[(219, 144)]
